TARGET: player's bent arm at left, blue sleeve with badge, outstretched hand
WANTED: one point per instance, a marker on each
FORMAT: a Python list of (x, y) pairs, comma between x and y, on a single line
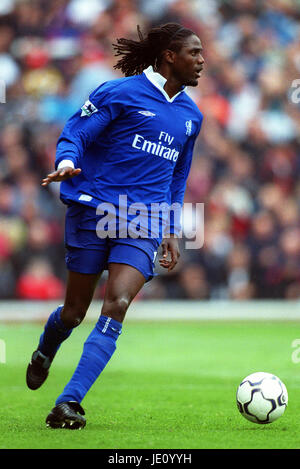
[(83, 128)]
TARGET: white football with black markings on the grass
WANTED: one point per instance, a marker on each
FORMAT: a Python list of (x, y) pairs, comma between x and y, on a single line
[(262, 397)]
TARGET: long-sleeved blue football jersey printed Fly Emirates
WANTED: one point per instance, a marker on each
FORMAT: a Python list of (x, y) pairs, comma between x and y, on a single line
[(130, 140)]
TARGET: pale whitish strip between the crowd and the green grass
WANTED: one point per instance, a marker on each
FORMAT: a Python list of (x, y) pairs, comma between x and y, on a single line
[(27, 311)]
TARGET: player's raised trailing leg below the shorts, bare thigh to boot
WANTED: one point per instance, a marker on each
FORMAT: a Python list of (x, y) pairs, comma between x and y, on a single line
[(79, 294)]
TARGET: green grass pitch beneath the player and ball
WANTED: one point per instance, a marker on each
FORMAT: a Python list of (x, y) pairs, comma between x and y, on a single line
[(169, 385)]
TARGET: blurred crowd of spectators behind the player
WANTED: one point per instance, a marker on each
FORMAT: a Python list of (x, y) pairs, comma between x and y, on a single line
[(246, 166)]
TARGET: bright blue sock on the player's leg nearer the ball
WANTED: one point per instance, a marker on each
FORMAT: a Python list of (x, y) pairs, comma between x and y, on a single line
[(97, 351)]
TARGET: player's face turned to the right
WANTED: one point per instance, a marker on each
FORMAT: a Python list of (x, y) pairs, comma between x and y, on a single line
[(188, 62)]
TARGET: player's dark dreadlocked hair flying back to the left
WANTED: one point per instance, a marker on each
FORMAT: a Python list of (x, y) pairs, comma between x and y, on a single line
[(138, 55)]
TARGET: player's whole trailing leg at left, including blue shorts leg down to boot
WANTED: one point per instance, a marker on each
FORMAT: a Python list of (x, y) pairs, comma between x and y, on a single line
[(85, 258)]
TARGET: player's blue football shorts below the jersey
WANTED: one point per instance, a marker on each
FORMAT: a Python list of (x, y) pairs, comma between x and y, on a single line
[(88, 254)]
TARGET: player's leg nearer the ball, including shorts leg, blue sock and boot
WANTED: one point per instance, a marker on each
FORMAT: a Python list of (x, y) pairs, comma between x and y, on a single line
[(129, 267)]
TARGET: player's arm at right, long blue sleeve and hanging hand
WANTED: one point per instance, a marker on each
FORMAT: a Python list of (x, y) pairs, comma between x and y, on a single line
[(170, 244)]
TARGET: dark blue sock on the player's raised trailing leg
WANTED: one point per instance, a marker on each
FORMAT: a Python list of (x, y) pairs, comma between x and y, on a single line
[(54, 334)]
